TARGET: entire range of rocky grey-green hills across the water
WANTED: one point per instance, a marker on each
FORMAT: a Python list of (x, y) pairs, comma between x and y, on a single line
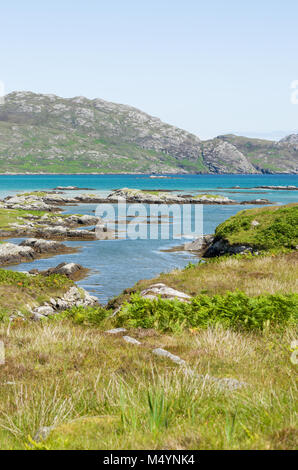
[(48, 134)]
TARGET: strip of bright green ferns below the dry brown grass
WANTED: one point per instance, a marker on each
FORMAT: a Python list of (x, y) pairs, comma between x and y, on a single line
[(233, 310)]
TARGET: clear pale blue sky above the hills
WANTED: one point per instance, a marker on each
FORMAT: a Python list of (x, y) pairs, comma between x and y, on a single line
[(210, 67)]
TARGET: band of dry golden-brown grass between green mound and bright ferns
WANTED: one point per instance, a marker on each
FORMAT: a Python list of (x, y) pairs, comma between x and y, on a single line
[(258, 275)]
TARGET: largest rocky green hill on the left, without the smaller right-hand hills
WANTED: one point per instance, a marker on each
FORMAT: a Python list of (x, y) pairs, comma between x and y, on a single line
[(45, 133)]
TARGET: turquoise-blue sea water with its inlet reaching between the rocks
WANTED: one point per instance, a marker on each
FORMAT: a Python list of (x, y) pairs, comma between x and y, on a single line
[(117, 264)]
